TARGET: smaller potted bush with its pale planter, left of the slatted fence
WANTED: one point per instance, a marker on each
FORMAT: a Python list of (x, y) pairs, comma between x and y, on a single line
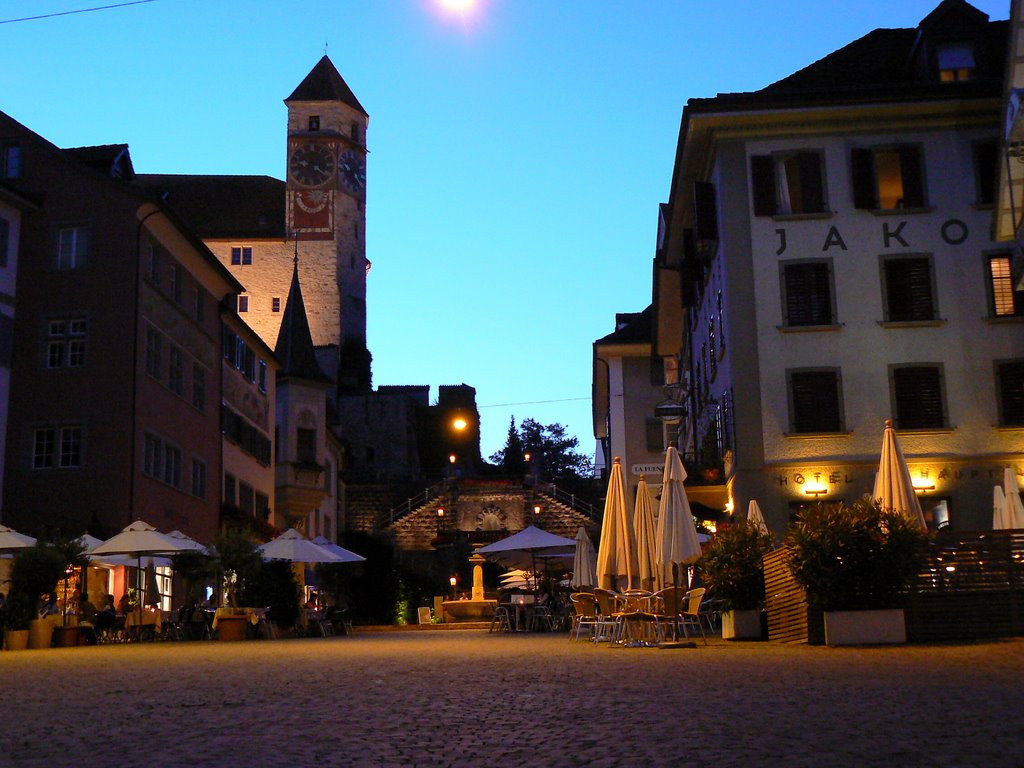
[(733, 568)]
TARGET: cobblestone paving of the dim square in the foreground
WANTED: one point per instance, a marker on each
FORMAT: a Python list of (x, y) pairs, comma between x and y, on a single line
[(468, 699)]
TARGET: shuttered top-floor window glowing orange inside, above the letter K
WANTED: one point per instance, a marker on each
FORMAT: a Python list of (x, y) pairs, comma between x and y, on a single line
[(888, 179)]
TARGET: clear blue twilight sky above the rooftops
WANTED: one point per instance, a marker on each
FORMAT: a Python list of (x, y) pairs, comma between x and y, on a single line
[(519, 151)]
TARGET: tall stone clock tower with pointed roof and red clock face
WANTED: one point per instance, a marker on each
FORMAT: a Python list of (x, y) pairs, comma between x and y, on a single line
[(326, 215)]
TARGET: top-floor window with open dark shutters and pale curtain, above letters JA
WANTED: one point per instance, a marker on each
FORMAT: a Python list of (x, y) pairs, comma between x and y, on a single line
[(790, 183)]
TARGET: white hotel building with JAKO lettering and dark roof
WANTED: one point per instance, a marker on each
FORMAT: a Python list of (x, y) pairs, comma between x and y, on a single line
[(829, 265)]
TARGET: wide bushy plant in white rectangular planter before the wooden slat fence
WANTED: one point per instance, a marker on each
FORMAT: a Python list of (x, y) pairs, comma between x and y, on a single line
[(856, 563)]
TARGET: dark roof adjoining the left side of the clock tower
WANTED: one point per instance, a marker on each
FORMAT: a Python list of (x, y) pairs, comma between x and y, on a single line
[(223, 206)]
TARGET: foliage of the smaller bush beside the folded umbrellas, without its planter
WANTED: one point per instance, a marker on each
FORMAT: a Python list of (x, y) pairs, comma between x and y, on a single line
[(732, 566)]
